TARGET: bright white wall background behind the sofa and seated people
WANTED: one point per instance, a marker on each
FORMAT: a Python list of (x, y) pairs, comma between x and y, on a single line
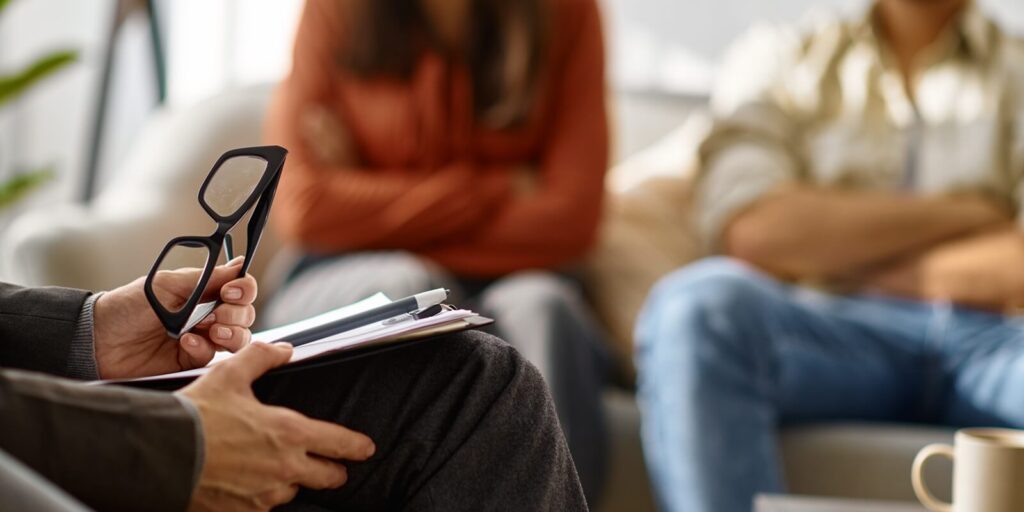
[(215, 46)]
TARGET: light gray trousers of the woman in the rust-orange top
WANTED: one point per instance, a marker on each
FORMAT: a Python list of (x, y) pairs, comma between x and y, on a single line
[(542, 315)]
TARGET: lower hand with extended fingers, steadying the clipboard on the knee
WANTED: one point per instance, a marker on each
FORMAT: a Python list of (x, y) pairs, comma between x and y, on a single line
[(259, 456)]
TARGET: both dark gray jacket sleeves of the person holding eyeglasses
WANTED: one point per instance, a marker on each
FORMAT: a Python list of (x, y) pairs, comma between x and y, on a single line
[(112, 448)]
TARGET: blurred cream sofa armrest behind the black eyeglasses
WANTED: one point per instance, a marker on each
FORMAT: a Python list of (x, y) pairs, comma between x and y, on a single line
[(151, 198)]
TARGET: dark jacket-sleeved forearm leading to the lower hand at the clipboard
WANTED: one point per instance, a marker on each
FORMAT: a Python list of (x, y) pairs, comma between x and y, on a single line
[(111, 448)]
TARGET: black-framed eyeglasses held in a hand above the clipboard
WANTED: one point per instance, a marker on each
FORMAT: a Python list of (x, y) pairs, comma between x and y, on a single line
[(240, 180)]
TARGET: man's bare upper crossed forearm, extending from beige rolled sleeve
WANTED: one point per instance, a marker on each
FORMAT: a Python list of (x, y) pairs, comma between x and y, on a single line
[(818, 234)]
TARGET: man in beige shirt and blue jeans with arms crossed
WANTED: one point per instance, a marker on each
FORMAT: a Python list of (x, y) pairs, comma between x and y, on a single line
[(881, 158)]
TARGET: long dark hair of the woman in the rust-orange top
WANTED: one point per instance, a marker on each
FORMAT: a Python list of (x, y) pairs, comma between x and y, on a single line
[(507, 45)]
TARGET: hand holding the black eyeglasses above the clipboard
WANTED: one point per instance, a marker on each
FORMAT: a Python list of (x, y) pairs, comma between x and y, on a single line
[(131, 342)]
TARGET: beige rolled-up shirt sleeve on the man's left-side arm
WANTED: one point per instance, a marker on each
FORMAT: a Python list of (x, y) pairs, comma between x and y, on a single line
[(751, 151)]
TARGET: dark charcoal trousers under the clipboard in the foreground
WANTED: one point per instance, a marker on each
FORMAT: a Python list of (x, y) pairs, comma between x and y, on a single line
[(461, 423)]
